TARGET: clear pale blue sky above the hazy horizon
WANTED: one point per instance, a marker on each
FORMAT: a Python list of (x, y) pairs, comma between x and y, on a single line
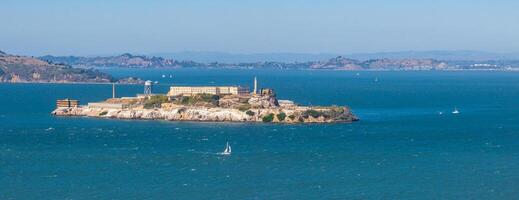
[(94, 27)]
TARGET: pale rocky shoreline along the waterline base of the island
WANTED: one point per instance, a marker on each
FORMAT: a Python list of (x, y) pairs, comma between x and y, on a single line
[(297, 114)]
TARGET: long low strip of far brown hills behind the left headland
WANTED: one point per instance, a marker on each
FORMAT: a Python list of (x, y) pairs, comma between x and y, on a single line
[(334, 63)]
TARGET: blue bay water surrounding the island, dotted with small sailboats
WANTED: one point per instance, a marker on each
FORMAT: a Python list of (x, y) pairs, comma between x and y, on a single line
[(401, 149)]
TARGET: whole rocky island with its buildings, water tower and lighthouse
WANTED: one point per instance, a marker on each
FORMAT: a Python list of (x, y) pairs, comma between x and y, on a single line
[(206, 103)]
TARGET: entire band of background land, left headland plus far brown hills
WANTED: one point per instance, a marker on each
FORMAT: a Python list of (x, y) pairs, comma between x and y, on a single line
[(73, 69)]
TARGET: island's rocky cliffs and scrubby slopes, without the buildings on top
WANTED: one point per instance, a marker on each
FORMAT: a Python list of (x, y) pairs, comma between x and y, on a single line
[(230, 109)]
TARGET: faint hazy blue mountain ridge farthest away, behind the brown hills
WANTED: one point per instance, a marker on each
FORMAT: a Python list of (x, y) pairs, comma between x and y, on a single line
[(207, 57)]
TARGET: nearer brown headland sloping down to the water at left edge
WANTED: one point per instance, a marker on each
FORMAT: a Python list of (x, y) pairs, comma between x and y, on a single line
[(15, 68)]
